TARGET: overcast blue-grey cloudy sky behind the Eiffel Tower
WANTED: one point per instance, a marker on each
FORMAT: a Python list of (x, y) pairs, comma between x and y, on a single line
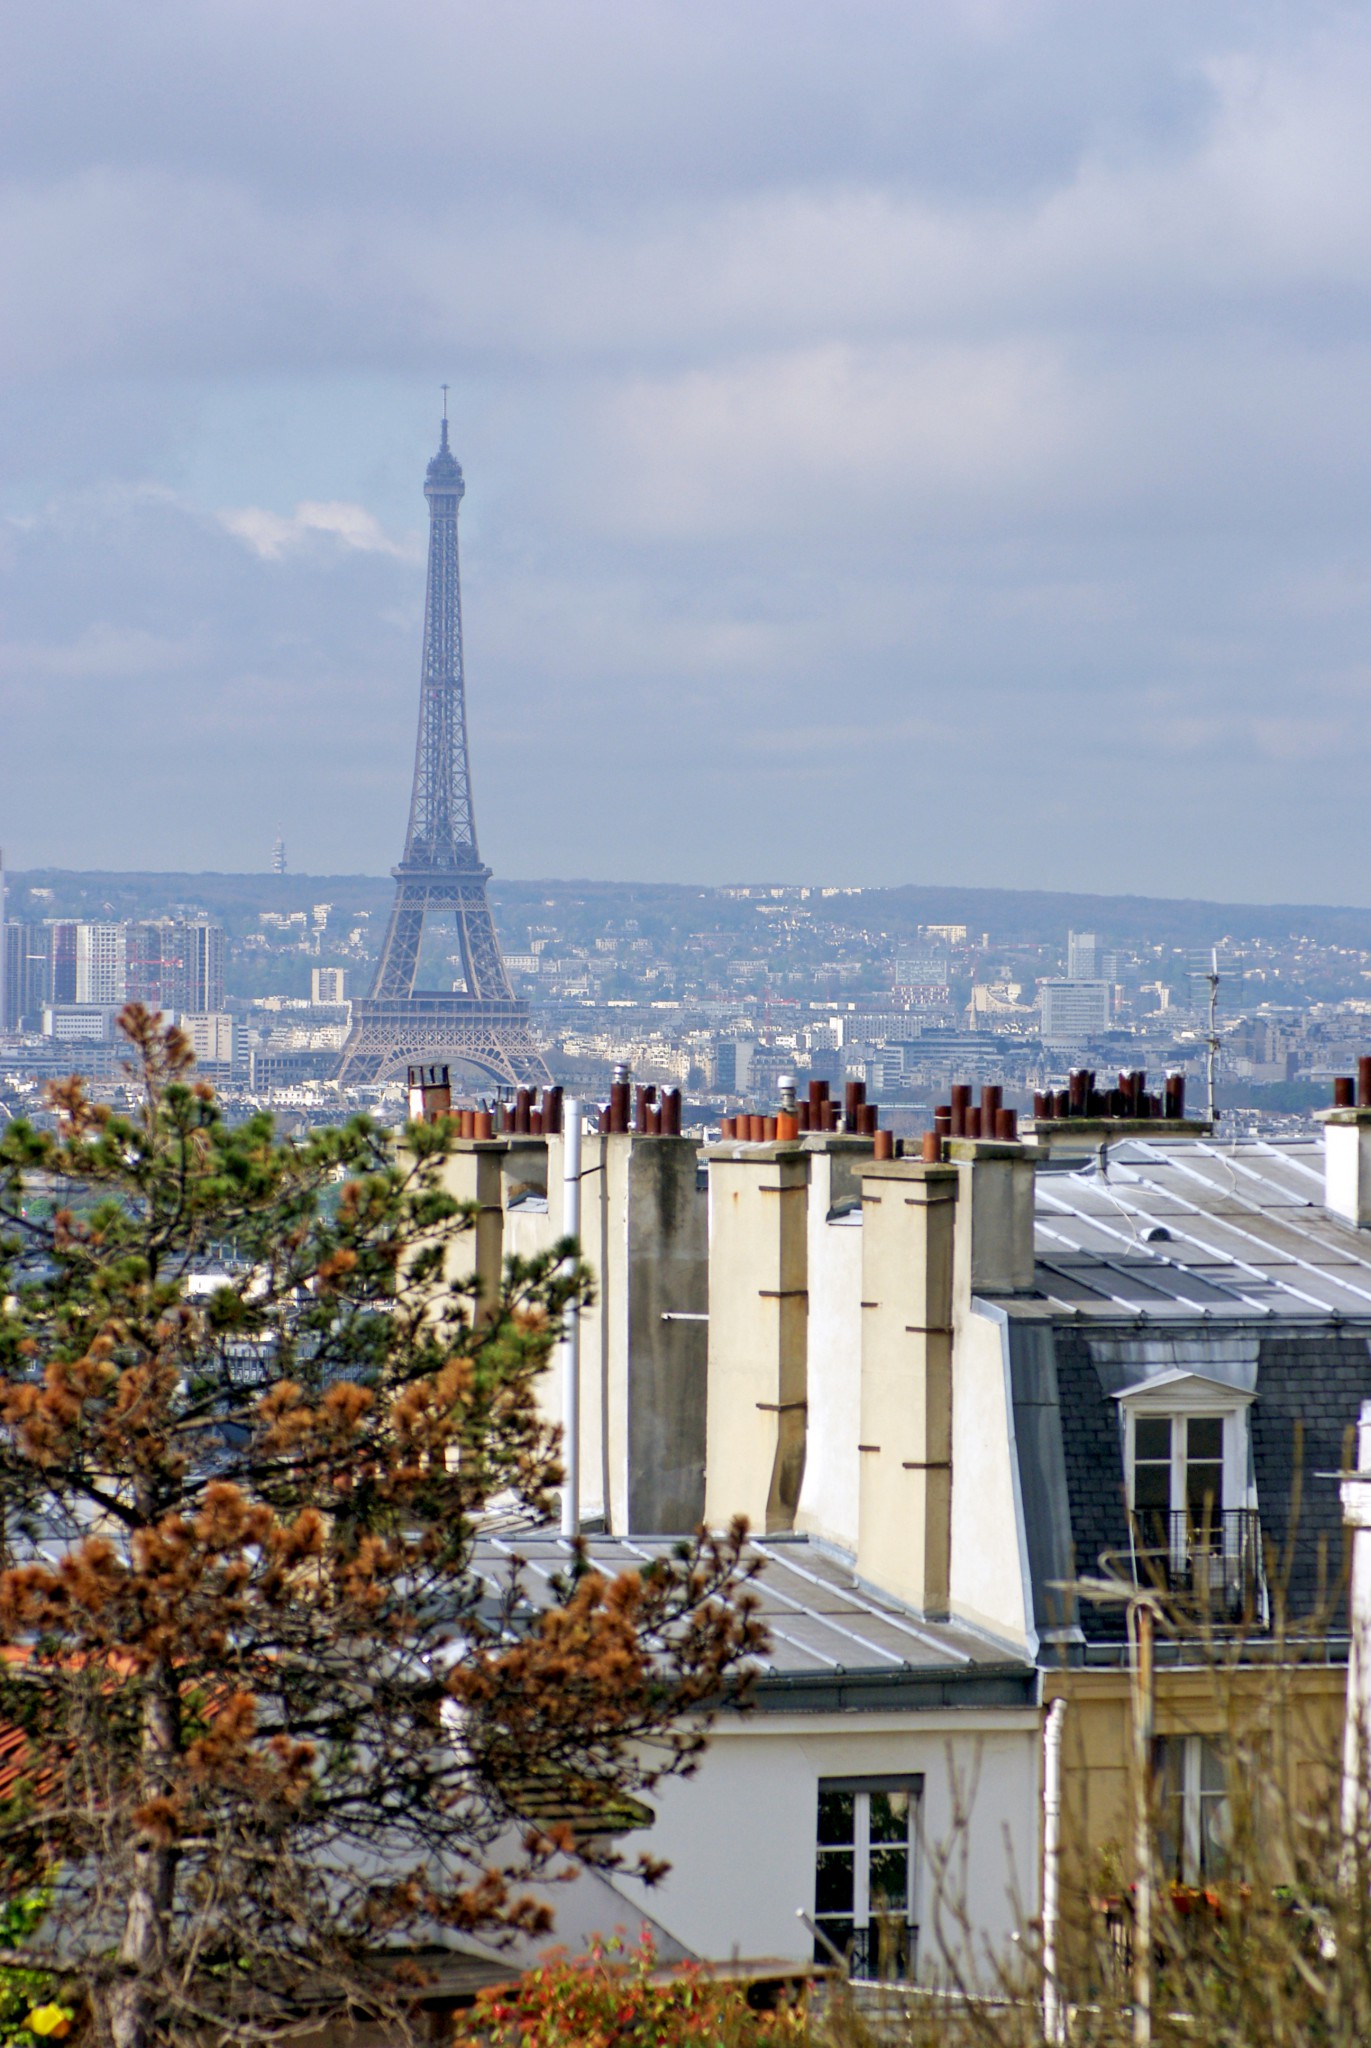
[(903, 441)]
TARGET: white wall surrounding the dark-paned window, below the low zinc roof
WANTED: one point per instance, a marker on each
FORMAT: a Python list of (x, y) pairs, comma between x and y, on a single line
[(741, 1834)]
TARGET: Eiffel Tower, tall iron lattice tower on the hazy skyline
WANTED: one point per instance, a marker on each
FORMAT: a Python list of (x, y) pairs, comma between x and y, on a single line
[(483, 1025)]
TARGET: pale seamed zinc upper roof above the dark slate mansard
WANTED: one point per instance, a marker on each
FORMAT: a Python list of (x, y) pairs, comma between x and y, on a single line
[(1247, 1236)]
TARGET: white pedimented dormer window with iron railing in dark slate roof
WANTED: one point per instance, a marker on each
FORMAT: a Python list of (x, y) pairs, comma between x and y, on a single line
[(1192, 1506)]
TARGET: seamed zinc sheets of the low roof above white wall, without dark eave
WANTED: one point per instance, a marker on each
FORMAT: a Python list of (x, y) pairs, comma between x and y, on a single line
[(821, 1621)]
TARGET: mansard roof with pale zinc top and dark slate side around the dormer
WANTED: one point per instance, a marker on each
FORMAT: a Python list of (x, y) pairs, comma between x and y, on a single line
[(1253, 1281)]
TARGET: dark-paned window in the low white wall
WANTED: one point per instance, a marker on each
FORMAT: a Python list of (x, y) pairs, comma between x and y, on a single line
[(866, 1871)]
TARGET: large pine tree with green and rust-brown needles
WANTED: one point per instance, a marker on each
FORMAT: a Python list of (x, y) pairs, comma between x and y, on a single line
[(276, 1730)]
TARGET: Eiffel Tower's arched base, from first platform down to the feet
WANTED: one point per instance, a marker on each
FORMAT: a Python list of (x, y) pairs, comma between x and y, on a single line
[(397, 1033)]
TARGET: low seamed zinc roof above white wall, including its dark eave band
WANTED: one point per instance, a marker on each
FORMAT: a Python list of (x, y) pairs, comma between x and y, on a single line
[(833, 1641)]
